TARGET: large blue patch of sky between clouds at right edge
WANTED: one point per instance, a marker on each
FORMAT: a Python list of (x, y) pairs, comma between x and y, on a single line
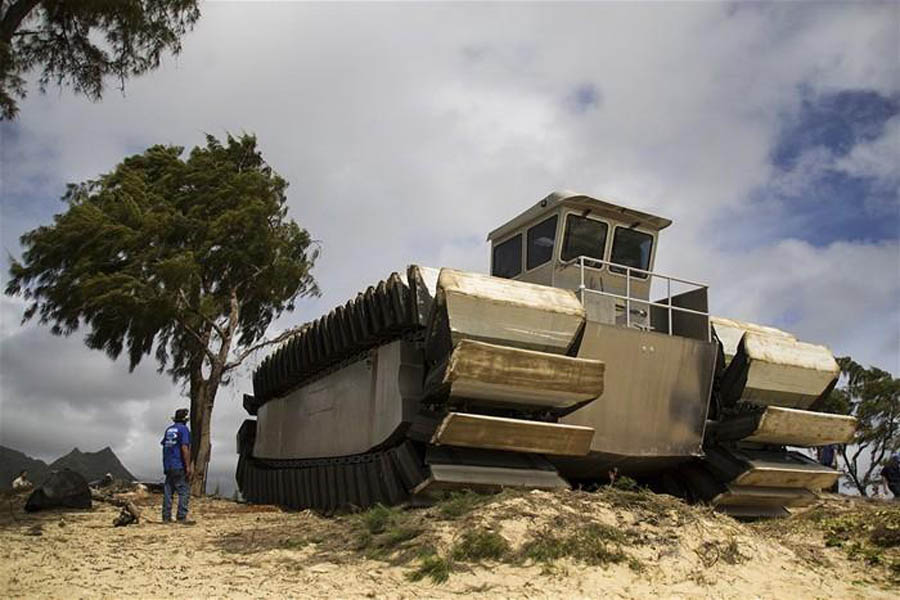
[(810, 196)]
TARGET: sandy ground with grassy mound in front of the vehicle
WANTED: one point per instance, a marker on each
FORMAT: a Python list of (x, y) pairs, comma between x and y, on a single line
[(612, 544)]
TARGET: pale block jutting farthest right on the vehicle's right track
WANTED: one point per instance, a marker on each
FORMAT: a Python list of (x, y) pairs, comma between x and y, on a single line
[(792, 427)]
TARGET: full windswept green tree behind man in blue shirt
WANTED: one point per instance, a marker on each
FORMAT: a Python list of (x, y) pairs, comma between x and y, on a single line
[(189, 259)]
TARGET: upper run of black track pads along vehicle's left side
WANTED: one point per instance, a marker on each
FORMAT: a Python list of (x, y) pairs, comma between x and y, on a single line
[(382, 313)]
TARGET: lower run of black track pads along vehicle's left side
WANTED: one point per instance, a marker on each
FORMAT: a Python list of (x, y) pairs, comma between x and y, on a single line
[(363, 480)]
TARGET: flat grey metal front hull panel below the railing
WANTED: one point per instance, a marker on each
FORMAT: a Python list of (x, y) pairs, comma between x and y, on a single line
[(656, 392)]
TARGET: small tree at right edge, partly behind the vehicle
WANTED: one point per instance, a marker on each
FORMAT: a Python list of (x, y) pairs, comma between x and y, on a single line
[(873, 397)]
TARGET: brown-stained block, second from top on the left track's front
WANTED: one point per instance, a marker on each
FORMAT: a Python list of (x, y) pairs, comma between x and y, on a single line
[(498, 375)]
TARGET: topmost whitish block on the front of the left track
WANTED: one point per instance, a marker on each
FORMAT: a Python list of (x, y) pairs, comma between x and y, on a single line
[(501, 311)]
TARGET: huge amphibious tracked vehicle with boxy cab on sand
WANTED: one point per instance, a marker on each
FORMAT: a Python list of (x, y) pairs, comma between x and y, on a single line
[(573, 358)]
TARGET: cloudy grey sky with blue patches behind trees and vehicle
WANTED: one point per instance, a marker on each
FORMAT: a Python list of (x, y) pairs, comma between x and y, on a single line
[(769, 134)]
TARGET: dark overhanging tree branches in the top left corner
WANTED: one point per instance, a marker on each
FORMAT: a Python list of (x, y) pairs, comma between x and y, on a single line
[(82, 42)]
